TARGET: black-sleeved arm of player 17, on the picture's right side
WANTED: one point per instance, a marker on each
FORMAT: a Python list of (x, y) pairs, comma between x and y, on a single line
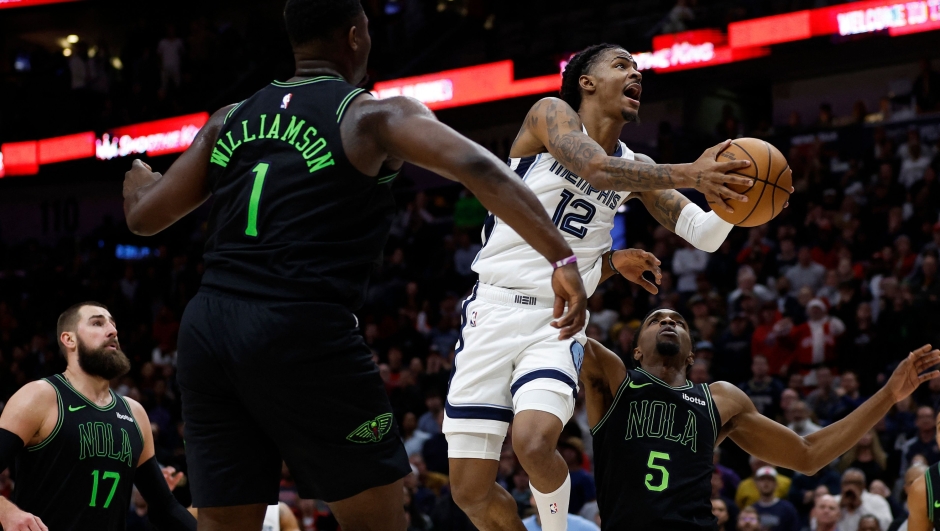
[(163, 510)]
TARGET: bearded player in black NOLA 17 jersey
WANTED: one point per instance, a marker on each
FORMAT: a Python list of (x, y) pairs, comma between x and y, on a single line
[(78, 447)]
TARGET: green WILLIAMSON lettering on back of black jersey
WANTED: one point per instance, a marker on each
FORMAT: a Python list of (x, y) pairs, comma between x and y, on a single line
[(305, 140)]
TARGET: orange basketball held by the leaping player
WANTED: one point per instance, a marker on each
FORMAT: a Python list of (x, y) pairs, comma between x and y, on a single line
[(772, 179)]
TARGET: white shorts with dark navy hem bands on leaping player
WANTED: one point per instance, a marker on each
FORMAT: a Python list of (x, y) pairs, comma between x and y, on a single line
[(507, 347)]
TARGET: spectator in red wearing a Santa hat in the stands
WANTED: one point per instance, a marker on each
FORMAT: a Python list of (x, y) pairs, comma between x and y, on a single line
[(815, 340)]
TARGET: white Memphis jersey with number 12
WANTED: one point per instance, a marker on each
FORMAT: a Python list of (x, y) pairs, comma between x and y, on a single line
[(583, 214)]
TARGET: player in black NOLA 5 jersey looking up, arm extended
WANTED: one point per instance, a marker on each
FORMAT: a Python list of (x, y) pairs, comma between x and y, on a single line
[(654, 431)]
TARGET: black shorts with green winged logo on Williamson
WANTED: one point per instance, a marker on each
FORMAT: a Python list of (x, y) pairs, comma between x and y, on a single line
[(264, 382)]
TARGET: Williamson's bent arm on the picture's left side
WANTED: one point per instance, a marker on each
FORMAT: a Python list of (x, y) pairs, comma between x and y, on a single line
[(153, 202)]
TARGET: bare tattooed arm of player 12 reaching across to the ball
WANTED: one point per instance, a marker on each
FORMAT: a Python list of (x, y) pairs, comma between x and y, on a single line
[(554, 126)]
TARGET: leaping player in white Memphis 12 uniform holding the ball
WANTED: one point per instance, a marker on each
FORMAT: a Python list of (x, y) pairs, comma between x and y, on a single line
[(510, 364)]
